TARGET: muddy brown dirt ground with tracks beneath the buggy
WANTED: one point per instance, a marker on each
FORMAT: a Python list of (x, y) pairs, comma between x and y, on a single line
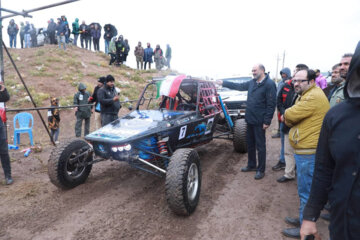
[(118, 202)]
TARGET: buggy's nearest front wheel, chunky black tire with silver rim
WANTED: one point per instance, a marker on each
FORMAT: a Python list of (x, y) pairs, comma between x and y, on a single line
[(183, 181)]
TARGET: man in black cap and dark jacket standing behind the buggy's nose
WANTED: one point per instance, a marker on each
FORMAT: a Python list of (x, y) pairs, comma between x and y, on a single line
[(109, 101)]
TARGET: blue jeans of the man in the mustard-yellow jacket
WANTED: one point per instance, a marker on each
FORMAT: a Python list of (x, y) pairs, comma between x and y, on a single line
[(305, 165)]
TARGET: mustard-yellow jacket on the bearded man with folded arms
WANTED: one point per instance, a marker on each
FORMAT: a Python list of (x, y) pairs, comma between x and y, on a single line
[(305, 118)]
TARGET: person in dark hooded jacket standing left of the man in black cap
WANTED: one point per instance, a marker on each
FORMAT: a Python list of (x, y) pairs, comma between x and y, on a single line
[(84, 112)]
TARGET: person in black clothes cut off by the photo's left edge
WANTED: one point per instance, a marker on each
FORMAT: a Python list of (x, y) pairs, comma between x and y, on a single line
[(4, 152)]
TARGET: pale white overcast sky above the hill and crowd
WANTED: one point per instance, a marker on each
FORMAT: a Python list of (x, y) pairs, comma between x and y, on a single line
[(220, 38)]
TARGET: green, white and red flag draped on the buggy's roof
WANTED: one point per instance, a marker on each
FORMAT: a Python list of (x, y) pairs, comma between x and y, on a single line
[(169, 86)]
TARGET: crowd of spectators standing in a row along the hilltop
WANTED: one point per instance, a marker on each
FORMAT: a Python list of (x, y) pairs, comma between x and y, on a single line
[(89, 35)]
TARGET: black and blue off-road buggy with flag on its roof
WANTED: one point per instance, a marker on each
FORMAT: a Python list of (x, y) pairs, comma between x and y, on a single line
[(189, 113)]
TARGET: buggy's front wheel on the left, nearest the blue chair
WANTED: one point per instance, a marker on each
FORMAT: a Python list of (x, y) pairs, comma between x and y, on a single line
[(64, 174)]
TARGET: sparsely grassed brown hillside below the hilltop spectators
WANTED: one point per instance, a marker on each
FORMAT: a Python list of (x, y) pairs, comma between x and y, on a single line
[(50, 72)]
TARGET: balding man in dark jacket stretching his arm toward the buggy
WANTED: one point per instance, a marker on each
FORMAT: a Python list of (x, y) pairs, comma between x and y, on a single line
[(260, 109)]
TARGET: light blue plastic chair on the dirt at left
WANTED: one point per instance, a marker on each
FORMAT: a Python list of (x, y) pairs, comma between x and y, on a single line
[(26, 123)]
